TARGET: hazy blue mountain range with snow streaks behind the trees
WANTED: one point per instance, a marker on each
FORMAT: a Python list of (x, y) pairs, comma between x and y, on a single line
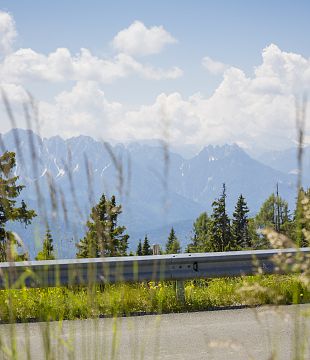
[(157, 188)]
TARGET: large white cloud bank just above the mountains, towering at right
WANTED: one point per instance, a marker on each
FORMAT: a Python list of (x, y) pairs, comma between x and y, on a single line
[(256, 110)]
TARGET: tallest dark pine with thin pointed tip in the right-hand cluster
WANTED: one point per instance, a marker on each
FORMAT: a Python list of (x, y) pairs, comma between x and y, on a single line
[(219, 229)]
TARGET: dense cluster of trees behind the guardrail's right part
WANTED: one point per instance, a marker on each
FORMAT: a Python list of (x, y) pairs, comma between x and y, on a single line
[(219, 232)]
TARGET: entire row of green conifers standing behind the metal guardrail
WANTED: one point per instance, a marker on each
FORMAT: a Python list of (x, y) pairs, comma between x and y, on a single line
[(105, 237)]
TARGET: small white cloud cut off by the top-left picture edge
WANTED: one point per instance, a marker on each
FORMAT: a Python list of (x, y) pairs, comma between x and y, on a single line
[(7, 33)]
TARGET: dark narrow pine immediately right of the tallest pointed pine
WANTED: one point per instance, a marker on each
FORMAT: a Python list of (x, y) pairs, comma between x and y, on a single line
[(239, 228)]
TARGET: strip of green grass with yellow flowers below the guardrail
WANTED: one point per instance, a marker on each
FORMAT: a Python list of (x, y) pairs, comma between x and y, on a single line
[(127, 299)]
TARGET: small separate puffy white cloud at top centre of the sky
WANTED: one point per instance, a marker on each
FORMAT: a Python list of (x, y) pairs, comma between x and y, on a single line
[(137, 39)]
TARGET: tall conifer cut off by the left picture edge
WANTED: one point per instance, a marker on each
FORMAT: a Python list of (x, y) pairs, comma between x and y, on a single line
[(9, 212)]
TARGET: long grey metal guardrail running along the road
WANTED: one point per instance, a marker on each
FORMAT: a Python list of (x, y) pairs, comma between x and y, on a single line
[(139, 268)]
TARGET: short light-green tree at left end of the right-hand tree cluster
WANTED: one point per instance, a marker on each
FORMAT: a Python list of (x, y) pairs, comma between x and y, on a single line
[(200, 239)]
